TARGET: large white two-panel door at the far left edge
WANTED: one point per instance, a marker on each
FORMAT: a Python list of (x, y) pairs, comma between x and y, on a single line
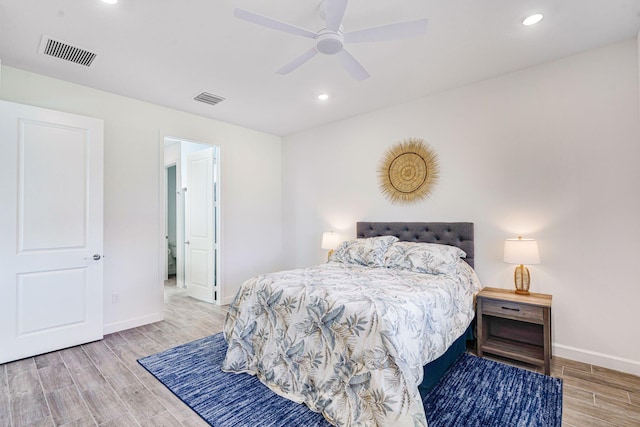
[(51, 230)]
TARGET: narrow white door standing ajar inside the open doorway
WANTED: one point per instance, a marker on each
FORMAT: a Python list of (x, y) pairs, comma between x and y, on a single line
[(199, 226)]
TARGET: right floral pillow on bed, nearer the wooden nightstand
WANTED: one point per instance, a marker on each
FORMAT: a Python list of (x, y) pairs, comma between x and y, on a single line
[(428, 258)]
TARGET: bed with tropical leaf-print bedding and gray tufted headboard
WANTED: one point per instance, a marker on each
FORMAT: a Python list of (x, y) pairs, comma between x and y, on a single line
[(357, 337)]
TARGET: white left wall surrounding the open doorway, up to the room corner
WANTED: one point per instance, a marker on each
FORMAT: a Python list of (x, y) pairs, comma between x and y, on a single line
[(134, 130)]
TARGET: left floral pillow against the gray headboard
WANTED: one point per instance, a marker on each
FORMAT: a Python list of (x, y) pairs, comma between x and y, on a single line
[(369, 251)]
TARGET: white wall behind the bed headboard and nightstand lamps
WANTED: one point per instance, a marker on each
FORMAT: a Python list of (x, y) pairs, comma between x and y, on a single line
[(549, 152)]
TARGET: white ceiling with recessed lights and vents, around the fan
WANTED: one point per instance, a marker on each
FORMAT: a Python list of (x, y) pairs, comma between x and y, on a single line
[(168, 51)]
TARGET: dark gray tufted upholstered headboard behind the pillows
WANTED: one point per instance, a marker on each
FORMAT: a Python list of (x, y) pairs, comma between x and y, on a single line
[(458, 234)]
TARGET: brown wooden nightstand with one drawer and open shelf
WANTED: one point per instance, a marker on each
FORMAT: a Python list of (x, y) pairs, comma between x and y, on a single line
[(515, 326)]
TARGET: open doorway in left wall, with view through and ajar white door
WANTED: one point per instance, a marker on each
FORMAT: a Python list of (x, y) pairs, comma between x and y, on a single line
[(191, 216)]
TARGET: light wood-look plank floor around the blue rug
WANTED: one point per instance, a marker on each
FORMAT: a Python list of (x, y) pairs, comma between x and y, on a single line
[(102, 384)]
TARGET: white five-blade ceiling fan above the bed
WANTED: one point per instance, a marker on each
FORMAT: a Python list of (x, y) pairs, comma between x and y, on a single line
[(331, 39)]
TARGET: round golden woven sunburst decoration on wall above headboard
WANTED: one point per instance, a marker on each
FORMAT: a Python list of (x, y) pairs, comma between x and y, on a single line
[(408, 171)]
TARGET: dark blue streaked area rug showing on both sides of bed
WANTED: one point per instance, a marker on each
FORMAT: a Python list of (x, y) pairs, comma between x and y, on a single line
[(475, 392)]
